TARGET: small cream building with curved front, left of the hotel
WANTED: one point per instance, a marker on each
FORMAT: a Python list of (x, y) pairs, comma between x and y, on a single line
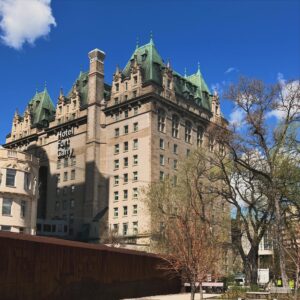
[(18, 191)]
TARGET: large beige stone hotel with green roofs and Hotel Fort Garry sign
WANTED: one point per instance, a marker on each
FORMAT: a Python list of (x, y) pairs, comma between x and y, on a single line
[(102, 144)]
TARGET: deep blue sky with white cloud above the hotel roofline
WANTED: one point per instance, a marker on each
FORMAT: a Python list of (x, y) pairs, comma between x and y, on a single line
[(256, 38)]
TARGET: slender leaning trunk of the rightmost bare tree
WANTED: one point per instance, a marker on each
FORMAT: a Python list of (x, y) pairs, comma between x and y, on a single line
[(279, 243)]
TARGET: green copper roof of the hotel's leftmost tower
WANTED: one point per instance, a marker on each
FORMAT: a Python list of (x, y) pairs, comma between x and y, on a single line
[(41, 109)]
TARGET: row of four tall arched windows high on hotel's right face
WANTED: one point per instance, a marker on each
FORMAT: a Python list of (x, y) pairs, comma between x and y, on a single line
[(161, 126)]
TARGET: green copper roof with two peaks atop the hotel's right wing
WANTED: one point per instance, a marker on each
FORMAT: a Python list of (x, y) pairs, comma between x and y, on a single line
[(191, 87)]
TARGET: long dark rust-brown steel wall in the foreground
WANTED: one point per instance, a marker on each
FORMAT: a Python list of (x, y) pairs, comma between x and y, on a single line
[(48, 269)]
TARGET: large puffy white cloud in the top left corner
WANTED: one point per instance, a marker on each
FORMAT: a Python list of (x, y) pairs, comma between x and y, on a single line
[(24, 21)]
